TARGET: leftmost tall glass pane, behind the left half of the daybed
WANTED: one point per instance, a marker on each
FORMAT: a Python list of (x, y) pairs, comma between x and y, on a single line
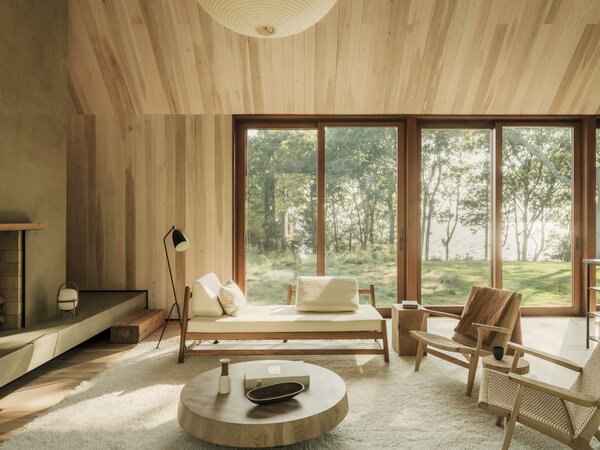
[(281, 205)]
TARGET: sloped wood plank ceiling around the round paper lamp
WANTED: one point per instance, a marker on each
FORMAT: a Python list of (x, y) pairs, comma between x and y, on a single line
[(364, 57)]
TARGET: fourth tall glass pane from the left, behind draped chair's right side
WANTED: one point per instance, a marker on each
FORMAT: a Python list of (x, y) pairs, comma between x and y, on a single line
[(537, 213)]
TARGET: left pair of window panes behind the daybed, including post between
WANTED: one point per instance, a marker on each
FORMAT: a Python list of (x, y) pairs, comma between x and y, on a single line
[(320, 206)]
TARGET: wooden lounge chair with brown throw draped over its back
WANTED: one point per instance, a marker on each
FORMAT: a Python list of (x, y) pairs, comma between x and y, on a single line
[(479, 338)]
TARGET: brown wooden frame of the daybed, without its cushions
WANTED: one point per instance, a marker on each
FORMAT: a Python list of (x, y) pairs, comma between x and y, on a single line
[(285, 336)]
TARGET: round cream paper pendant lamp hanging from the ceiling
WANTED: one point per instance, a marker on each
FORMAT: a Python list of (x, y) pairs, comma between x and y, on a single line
[(267, 18)]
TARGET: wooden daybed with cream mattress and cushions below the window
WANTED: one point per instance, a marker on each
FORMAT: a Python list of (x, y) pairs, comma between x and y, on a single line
[(281, 322)]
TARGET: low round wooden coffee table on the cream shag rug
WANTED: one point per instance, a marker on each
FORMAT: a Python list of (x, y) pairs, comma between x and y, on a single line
[(232, 420)]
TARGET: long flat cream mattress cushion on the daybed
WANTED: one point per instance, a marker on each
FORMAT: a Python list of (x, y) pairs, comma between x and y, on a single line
[(285, 318)]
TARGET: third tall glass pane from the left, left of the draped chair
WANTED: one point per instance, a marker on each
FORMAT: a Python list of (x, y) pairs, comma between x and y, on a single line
[(455, 213)]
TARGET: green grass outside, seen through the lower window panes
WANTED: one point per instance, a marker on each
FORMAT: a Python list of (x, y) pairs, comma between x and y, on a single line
[(442, 283)]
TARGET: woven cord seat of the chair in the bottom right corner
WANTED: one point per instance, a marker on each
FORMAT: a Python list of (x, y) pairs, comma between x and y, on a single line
[(498, 393)]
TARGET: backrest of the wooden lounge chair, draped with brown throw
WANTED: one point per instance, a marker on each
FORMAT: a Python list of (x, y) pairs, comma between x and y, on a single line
[(483, 304)]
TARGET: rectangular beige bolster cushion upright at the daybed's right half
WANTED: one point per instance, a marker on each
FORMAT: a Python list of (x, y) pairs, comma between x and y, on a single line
[(327, 294)]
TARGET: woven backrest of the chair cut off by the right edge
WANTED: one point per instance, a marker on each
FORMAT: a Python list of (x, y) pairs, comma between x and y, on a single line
[(588, 382)]
